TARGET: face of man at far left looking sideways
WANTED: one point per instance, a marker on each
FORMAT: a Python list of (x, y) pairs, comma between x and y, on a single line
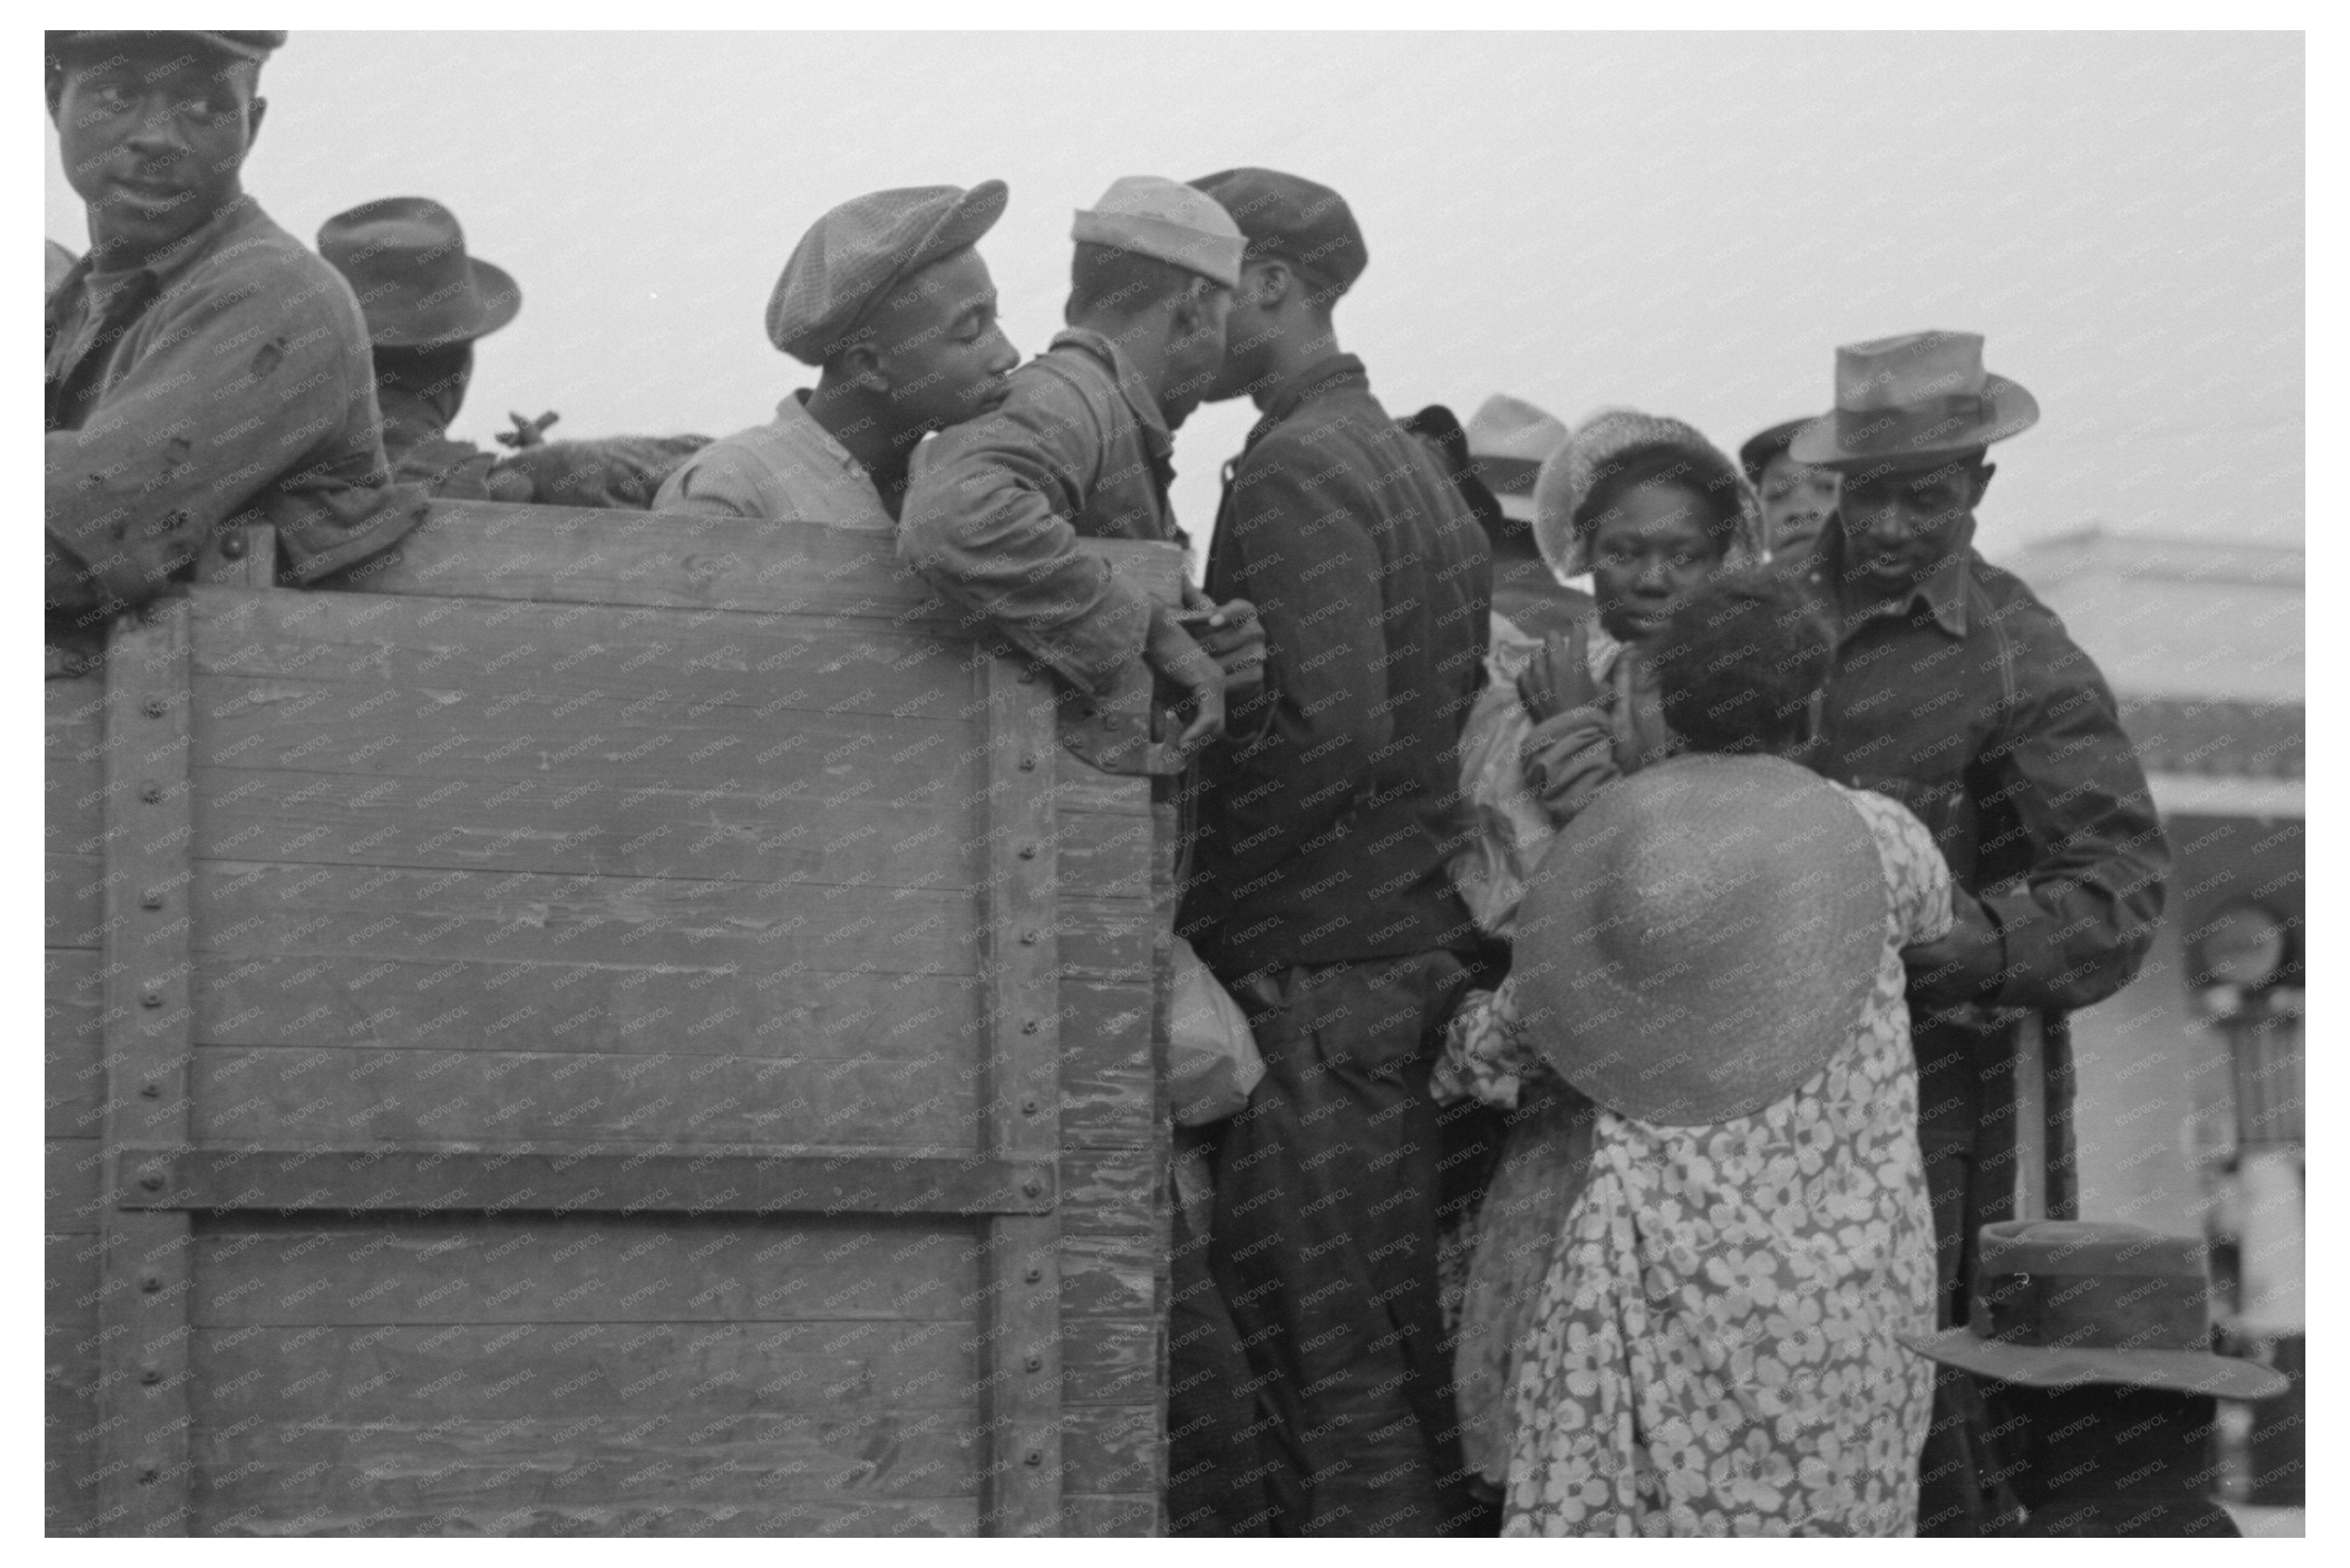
[(154, 135)]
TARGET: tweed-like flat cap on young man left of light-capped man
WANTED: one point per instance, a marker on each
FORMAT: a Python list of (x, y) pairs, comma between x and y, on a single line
[(859, 250)]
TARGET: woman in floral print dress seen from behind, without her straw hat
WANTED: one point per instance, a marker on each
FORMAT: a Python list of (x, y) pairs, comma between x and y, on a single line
[(1712, 1346)]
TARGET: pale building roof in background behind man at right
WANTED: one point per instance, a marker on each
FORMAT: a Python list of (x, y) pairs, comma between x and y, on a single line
[(2177, 619)]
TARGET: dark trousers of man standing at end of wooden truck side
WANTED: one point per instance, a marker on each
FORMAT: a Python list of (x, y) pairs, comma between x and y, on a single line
[(1327, 1202)]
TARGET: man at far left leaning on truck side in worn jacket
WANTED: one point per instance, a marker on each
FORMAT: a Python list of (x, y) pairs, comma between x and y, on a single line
[(203, 368)]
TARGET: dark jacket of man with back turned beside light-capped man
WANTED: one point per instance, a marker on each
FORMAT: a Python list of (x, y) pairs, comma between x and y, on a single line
[(1324, 836)]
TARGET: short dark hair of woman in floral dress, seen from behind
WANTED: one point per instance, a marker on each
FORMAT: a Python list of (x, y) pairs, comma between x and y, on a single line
[(1743, 659)]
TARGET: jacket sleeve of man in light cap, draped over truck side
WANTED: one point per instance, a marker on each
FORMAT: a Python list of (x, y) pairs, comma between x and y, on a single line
[(988, 523)]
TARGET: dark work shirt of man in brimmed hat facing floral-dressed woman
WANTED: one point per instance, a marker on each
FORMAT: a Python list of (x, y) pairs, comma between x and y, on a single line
[(1973, 706)]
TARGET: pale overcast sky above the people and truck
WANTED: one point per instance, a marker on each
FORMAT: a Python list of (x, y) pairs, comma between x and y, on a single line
[(1674, 222)]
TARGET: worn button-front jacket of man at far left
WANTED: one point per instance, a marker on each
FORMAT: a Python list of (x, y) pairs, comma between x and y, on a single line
[(220, 384)]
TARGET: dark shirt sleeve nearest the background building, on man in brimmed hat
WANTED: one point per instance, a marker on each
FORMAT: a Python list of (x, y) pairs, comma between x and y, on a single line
[(2086, 913)]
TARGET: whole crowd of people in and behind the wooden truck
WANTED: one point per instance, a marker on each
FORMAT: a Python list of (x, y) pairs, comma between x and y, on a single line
[(1634, 866)]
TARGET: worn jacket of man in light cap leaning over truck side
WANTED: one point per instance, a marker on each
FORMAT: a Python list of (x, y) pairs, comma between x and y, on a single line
[(1077, 450)]
